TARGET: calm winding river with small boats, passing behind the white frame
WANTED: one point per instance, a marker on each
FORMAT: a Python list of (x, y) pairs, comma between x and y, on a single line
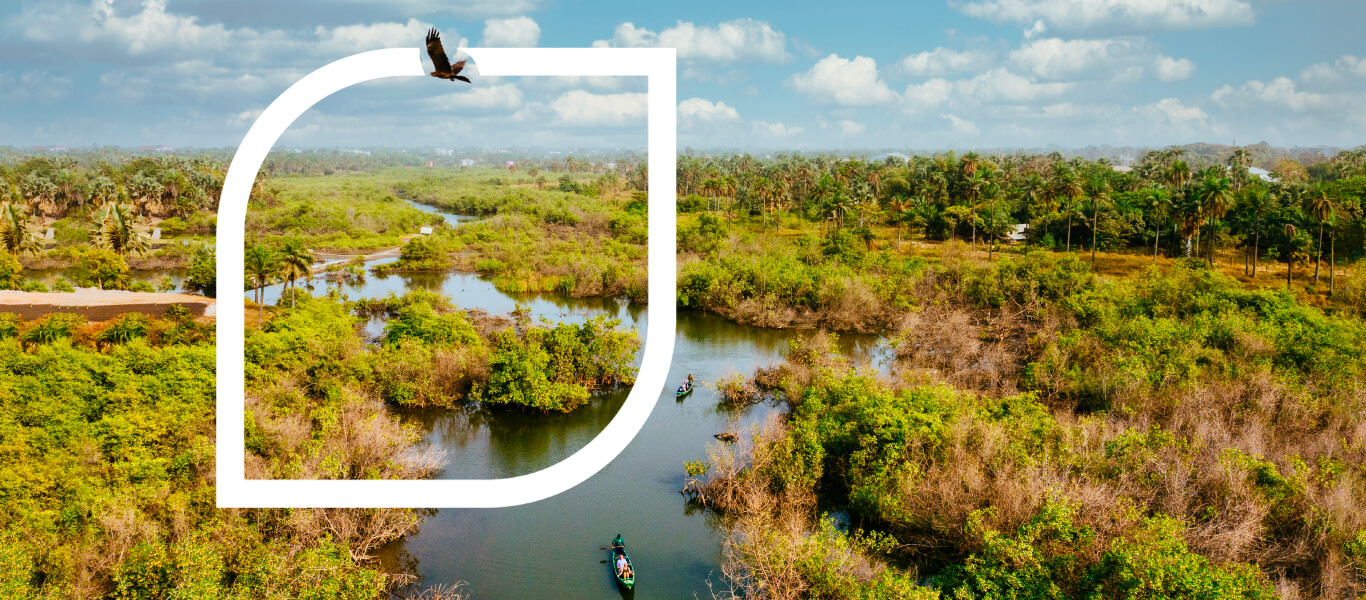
[(551, 549)]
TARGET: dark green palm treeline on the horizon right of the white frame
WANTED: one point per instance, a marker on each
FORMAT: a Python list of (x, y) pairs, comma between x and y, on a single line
[(1169, 202)]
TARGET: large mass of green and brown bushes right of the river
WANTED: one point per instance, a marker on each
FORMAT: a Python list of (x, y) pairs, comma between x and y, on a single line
[(1121, 468)]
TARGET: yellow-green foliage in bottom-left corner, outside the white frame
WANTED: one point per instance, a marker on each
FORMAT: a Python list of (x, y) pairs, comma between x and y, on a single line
[(106, 485)]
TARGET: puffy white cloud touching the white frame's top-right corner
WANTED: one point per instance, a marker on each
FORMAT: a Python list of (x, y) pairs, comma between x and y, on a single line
[(726, 43)]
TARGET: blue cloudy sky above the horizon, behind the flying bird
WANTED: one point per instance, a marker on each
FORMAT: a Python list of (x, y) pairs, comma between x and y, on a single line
[(913, 76)]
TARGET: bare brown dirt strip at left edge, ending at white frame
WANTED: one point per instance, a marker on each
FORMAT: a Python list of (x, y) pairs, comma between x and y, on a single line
[(102, 305)]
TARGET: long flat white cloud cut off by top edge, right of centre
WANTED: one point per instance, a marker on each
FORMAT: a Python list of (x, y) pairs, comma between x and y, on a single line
[(1114, 16)]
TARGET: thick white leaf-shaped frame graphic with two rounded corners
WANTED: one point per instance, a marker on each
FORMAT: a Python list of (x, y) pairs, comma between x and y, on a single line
[(234, 490)]
